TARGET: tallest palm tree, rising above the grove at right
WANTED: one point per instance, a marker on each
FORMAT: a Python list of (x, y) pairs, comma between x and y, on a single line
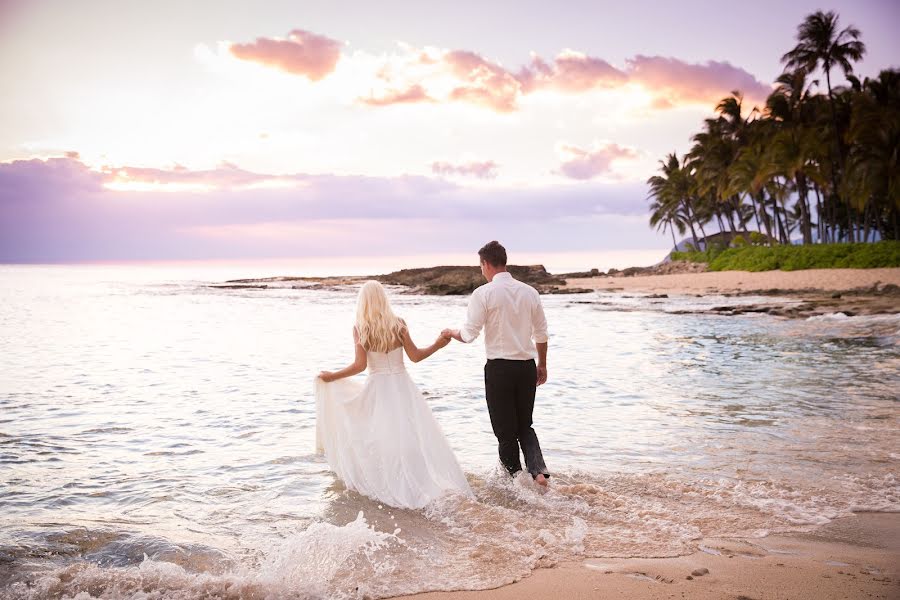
[(820, 44)]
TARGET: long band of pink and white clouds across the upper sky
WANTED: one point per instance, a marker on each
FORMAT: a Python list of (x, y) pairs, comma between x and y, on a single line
[(433, 75)]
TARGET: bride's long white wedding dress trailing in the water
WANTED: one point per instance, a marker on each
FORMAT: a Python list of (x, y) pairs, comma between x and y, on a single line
[(381, 439)]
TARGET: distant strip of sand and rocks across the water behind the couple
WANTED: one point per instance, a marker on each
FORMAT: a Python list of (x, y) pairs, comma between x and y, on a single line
[(791, 294)]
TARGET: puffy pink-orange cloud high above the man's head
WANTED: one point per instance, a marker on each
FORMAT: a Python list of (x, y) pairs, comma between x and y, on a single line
[(483, 82)]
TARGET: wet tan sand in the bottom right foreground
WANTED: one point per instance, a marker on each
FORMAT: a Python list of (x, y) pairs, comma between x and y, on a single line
[(851, 557)]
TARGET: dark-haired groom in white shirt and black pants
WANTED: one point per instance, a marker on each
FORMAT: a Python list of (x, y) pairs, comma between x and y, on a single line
[(515, 333)]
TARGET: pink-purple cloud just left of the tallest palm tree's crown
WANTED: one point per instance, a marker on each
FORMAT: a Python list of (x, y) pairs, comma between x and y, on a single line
[(677, 82)]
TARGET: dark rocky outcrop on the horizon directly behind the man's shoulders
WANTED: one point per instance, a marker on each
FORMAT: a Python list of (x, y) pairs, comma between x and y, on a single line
[(461, 281)]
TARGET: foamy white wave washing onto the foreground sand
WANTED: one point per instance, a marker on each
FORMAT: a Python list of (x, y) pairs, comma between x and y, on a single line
[(459, 543)]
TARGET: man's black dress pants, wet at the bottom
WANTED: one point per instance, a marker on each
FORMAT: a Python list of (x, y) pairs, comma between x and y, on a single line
[(510, 387)]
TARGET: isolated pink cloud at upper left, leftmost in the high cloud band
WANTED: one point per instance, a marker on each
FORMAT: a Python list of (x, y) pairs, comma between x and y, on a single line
[(303, 53)]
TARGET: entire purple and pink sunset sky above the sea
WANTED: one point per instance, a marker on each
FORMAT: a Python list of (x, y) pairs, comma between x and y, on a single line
[(224, 130)]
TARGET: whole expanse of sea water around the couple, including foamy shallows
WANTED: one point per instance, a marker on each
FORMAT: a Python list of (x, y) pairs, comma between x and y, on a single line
[(157, 437)]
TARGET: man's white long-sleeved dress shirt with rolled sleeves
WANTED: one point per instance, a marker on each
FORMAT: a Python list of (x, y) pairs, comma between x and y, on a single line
[(512, 317)]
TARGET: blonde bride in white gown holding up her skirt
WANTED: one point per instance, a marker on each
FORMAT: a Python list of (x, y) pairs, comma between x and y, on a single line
[(380, 437)]
